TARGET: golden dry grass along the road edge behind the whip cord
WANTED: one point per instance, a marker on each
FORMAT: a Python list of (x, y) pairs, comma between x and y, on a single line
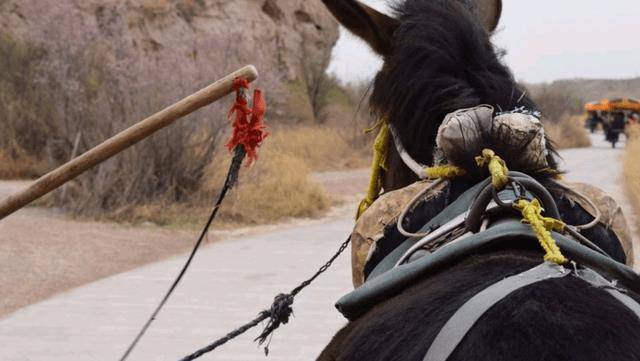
[(277, 187)]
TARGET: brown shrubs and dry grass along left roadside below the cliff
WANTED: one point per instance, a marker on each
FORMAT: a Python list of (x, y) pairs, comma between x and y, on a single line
[(172, 177)]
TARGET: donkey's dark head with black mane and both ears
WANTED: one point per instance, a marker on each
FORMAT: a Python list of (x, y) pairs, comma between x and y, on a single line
[(438, 58)]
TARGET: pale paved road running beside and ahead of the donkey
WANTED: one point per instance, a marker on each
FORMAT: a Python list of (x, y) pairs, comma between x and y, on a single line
[(228, 283)]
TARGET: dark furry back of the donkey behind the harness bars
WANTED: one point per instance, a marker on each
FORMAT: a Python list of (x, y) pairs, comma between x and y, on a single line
[(553, 320)]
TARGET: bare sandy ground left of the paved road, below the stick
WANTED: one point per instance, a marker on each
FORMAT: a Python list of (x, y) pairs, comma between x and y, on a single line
[(43, 253)]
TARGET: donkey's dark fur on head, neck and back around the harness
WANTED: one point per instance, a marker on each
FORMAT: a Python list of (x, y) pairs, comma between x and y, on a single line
[(442, 60)]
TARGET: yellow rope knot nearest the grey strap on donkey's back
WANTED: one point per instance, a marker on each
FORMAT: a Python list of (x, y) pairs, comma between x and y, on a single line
[(541, 226)]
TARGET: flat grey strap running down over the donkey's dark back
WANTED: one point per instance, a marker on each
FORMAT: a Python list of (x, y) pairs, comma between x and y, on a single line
[(466, 316)]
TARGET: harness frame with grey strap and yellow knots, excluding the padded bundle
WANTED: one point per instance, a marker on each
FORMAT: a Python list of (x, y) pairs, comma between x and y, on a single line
[(480, 219)]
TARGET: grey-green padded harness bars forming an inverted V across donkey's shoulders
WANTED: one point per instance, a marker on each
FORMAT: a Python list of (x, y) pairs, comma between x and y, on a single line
[(453, 235)]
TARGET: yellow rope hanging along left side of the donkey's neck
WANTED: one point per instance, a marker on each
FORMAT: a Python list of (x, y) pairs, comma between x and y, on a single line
[(380, 153)]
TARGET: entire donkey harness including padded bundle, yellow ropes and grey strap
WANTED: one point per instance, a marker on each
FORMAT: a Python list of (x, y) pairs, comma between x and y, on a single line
[(505, 206)]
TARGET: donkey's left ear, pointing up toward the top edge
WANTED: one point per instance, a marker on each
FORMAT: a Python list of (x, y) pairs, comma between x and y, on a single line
[(370, 25)]
